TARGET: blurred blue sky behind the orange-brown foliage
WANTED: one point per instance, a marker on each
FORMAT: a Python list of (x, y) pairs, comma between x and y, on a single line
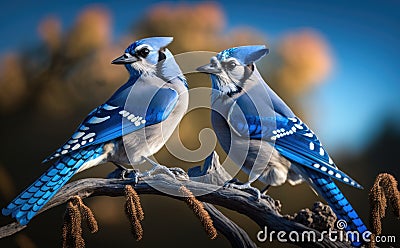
[(362, 92)]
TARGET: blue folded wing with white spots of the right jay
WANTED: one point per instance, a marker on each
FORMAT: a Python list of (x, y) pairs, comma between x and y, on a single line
[(293, 139)]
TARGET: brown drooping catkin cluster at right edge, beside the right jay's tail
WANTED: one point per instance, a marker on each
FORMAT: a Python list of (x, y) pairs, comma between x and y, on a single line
[(382, 192)]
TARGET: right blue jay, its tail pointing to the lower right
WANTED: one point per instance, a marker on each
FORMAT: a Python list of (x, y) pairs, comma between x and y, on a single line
[(260, 132)]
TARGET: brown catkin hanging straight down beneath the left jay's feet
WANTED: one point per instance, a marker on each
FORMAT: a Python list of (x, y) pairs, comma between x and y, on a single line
[(134, 212)]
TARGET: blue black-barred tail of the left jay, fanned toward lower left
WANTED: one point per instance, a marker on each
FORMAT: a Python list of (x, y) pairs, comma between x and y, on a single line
[(32, 199)]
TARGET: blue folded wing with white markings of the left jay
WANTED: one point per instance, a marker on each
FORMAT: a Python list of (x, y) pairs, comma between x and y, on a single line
[(110, 121)]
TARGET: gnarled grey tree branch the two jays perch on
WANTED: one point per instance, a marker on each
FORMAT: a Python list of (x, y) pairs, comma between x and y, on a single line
[(264, 212)]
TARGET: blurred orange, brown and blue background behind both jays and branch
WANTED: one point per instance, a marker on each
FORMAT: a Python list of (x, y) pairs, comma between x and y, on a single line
[(336, 63)]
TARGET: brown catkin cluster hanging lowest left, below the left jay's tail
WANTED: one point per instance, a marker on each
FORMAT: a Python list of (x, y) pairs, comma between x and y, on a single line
[(72, 226)]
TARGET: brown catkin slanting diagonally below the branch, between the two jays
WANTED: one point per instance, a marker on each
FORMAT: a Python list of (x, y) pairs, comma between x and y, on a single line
[(198, 209)]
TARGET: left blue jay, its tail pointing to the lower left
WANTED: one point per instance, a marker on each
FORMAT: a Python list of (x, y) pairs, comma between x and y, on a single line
[(130, 126)]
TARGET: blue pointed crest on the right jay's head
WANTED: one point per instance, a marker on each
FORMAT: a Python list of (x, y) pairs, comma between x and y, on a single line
[(246, 55)]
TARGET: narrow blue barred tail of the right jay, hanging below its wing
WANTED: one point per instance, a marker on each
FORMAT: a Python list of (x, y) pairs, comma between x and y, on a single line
[(339, 204)]
